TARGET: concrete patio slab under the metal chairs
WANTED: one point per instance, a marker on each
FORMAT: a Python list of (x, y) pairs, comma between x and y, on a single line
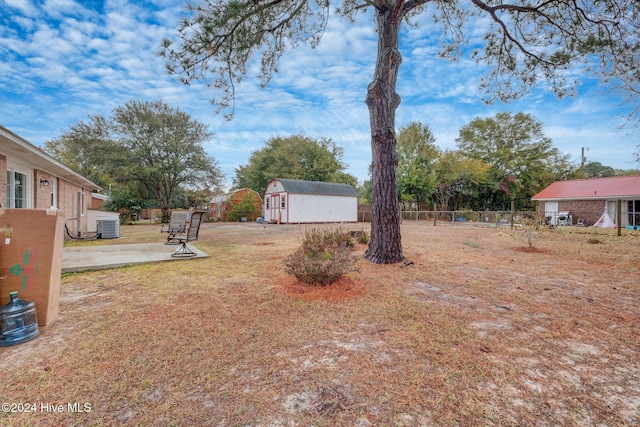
[(84, 258)]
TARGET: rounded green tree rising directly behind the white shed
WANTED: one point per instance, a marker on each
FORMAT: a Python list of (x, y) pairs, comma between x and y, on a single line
[(293, 157)]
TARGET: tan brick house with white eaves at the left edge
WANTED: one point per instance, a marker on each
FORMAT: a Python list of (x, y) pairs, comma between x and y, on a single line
[(32, 179)]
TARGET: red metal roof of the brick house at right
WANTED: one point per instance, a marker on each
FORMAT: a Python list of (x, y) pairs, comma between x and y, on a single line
[(622, 187)]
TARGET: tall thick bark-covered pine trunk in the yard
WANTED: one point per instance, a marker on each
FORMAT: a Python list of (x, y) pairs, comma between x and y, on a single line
[(385, 246)]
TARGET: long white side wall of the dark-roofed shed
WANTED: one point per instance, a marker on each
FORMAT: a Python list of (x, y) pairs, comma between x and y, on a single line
[(318, 208)]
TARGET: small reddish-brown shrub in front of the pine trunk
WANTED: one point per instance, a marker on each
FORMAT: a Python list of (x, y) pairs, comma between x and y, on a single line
[(324, 257)]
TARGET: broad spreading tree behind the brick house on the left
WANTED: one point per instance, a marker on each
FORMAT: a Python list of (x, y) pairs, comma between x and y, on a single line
[(144, 148)]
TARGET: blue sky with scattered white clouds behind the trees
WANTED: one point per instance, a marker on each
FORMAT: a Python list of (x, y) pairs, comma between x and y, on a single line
[(63, 60)]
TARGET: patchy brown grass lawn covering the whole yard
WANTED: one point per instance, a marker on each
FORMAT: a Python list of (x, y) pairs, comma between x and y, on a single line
[(468, 332)]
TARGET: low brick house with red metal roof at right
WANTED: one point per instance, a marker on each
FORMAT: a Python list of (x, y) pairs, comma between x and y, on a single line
[(573, 201)]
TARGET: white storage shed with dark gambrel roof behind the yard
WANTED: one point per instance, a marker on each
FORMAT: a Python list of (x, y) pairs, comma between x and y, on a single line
[(291, 201)]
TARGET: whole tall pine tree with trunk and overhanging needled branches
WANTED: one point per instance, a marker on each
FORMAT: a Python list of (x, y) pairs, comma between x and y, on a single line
[(522, 41)]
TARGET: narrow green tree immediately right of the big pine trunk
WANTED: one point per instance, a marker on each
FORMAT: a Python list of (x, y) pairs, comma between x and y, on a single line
[(417, 154)]
